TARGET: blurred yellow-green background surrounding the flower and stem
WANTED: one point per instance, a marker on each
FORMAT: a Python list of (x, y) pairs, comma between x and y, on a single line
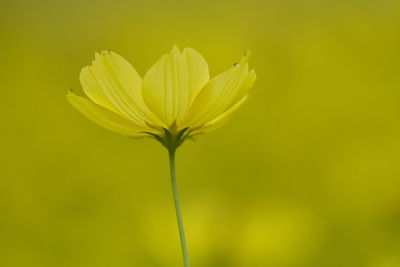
[(306, 173)]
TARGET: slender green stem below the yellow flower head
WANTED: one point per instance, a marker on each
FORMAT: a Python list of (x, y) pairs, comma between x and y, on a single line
[(178, 207)]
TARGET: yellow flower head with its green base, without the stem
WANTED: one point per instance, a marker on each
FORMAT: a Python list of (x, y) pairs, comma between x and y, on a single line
[(174, 100)]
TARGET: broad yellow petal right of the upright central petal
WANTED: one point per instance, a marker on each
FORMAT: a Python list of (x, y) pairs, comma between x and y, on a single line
[(220, 94)]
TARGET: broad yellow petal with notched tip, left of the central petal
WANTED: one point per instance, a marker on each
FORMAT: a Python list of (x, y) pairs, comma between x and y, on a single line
[(114, 84)]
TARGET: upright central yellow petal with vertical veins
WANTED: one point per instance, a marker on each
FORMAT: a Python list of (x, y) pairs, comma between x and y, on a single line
[(172, 83)]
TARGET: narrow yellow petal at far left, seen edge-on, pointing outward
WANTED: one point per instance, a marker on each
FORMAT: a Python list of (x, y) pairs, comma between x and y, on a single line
[(104, 117)]
